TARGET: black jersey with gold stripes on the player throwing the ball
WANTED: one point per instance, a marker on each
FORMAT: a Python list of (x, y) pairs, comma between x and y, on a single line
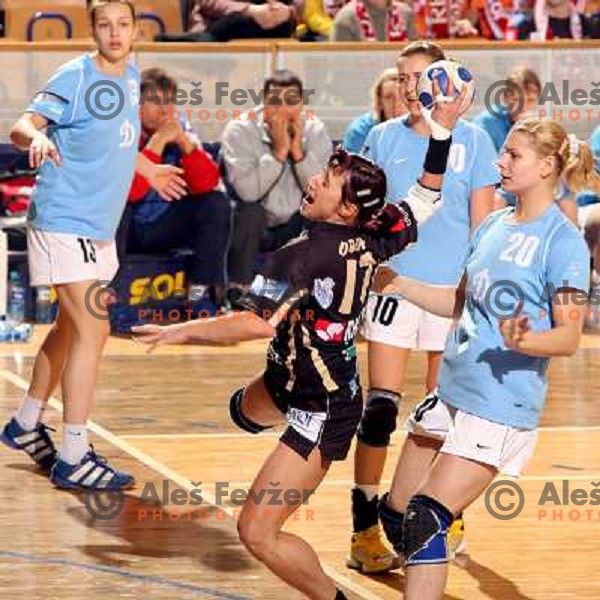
[(318, 284)]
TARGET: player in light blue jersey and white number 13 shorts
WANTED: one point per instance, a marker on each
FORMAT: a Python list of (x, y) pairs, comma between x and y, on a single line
[(82, 132)]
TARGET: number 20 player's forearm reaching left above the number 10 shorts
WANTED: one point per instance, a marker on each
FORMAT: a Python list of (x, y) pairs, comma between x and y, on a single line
[(440, 300)]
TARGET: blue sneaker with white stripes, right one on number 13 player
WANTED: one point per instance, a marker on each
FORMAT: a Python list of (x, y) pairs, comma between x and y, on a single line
[(92, 472)]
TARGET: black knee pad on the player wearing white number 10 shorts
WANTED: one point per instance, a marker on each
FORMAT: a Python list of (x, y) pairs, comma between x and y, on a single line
[(379, 418)]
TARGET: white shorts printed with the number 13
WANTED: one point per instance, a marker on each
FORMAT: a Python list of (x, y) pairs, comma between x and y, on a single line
[(56, 258)]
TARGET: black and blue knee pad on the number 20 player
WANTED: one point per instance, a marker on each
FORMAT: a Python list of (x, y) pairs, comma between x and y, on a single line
[(426, 524)]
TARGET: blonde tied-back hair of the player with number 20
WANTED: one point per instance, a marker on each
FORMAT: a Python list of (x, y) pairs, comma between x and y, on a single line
[(574, 159)]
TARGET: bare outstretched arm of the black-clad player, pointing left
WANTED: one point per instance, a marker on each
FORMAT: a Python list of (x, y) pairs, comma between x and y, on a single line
[(236, 327)]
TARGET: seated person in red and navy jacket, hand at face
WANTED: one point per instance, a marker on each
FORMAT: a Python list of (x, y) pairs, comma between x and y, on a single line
[(202, 218)]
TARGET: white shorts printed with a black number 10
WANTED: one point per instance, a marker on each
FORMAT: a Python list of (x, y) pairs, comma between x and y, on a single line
[(393, 320)]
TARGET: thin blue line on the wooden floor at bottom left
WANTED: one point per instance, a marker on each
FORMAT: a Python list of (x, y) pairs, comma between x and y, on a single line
[(155, 579)]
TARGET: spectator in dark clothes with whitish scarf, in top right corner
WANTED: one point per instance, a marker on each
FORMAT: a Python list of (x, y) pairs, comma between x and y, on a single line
[(560, 19)]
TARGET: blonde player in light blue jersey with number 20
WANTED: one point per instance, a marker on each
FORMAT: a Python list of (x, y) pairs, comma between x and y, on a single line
[(521, 300)]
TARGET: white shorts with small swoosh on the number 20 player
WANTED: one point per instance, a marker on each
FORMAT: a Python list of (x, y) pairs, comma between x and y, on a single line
[(506, 448)]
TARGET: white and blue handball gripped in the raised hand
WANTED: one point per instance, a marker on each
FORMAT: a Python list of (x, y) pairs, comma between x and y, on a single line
[(444, 71)]
